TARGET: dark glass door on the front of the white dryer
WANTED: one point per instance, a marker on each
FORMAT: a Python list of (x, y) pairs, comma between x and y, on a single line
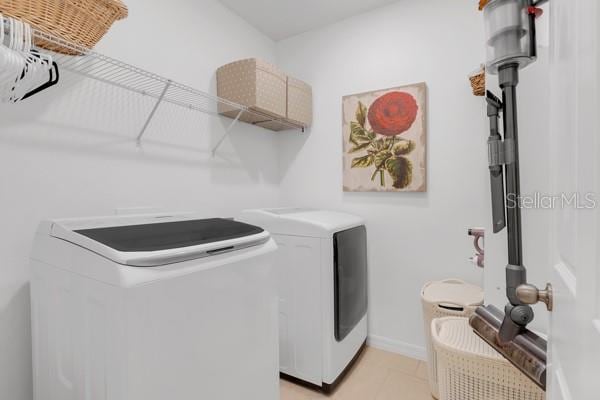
[(350, 279)]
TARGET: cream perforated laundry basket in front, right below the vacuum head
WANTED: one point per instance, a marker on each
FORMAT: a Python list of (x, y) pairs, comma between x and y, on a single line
[(469, 369)]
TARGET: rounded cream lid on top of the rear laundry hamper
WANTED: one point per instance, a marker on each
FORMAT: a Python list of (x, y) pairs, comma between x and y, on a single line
[(453, 291)]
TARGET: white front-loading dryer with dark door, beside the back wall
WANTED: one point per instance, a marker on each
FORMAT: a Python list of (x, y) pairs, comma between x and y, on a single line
[(322, 269)]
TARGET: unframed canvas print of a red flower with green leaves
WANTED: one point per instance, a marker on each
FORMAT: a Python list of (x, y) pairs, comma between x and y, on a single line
[(385, 140)]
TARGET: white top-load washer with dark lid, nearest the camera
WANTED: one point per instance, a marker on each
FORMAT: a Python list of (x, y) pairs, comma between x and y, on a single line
[(154, 308)]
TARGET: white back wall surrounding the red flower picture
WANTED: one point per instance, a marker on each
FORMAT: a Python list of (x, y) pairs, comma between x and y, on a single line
[(413, 237)]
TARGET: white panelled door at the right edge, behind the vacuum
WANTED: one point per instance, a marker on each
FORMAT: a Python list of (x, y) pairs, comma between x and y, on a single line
[(574, 372)]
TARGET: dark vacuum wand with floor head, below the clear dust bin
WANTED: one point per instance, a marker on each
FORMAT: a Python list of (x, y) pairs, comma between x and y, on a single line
[(507, 332)]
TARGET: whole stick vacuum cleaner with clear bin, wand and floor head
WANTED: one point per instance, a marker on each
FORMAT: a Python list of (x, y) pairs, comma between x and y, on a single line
[(511, 43)]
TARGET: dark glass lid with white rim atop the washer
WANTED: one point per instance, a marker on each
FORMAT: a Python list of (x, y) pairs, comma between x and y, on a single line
[(153, 242)]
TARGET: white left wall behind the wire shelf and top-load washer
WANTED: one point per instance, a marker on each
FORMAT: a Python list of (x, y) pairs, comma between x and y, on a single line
[(70, 152)]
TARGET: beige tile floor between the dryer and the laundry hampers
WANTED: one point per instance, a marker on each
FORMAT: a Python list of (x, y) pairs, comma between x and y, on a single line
[(377, 375)]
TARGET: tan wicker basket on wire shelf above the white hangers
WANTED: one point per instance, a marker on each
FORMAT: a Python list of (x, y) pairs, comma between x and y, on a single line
[(82, 22)]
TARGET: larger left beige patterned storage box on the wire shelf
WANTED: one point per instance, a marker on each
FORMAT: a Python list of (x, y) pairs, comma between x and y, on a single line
[(256, 84)]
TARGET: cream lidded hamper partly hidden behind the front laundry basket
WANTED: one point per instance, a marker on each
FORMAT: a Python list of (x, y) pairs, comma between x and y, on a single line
[(448, 298)]
